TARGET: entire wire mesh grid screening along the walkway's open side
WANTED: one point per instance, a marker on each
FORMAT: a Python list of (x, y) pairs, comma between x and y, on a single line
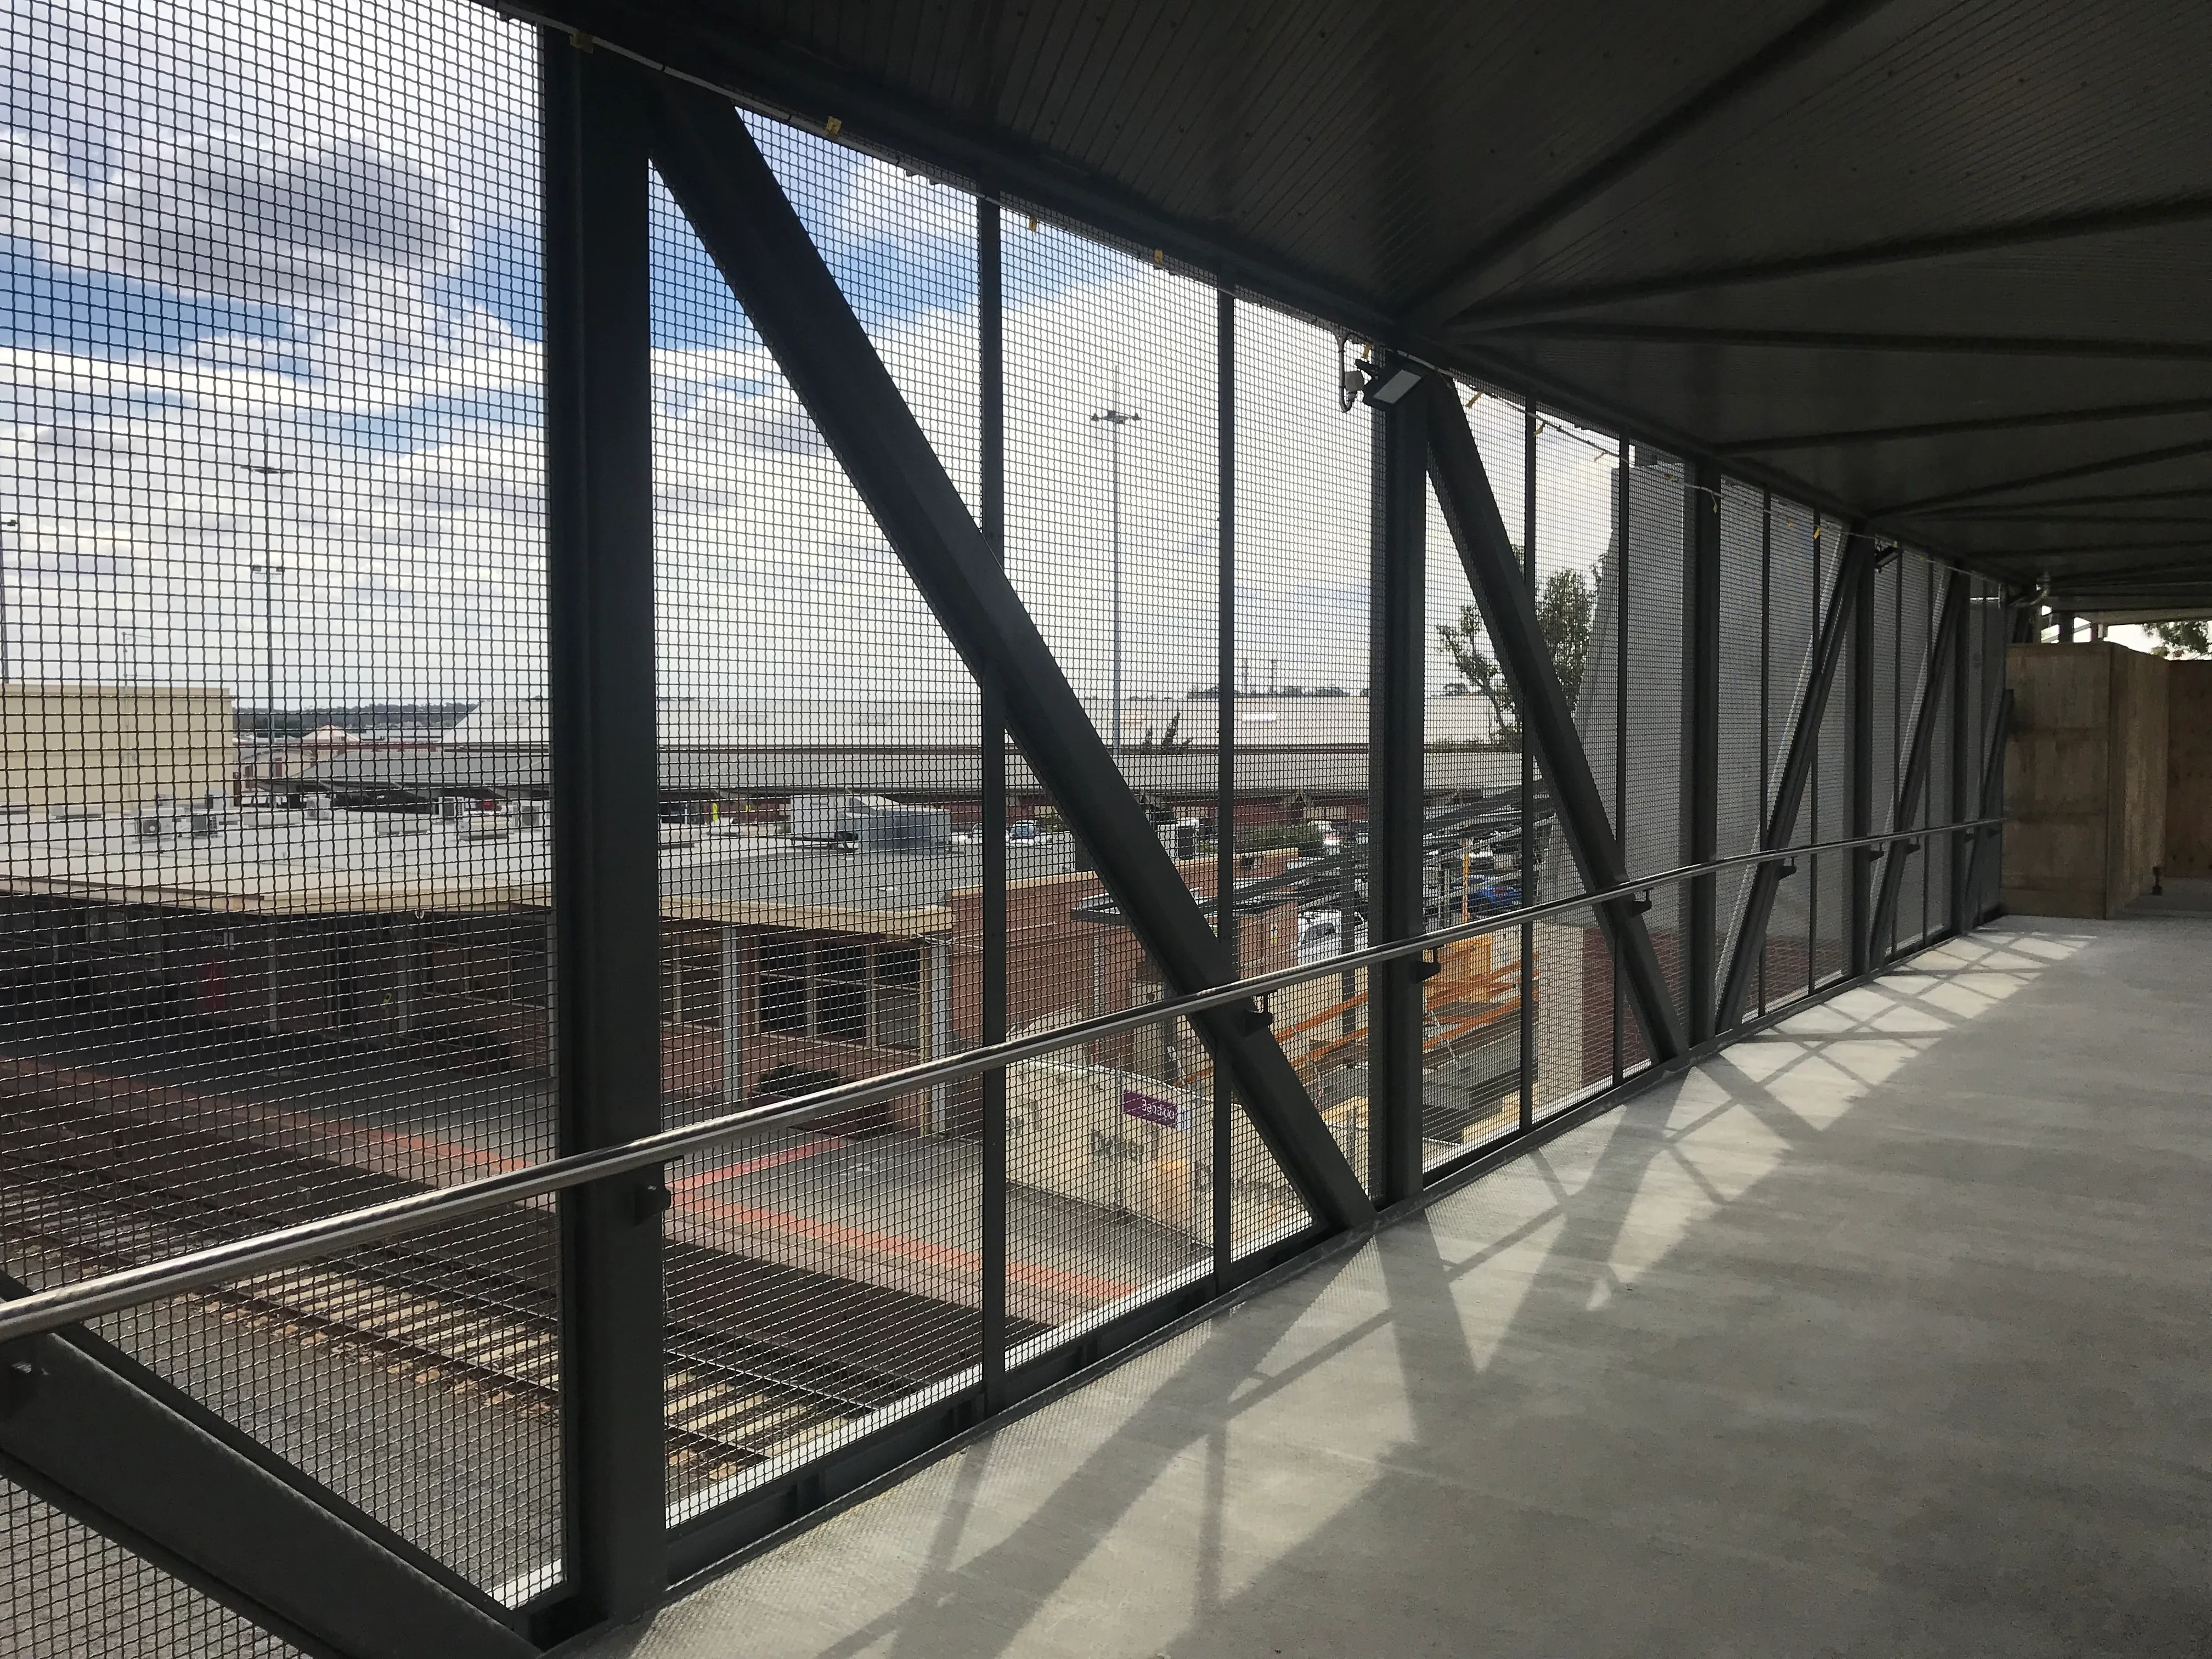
[(278, 924)]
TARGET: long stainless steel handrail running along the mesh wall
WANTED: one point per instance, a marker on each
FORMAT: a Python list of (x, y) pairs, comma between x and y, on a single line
[(286, 1246)]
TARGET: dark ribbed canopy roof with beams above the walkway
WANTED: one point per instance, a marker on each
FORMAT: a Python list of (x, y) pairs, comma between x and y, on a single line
[(1937, 264)]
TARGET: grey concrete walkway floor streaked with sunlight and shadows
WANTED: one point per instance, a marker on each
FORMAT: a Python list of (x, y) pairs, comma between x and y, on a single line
[(1881, 1335)]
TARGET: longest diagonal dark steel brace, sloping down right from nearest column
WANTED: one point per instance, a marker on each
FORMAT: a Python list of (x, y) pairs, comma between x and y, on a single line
[(747, 225)]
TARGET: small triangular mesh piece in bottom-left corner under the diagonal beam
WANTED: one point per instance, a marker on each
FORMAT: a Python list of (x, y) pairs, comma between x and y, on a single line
[(67, 1592)]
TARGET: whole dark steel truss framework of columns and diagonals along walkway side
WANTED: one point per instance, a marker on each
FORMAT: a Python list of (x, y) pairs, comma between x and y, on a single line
[(300, 1563)]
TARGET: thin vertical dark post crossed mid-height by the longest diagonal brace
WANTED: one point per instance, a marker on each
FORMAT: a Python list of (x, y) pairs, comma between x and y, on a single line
[(992, 1016)]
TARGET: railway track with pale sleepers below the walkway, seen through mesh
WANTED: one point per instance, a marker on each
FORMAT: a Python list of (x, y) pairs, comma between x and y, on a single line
[(760, 1357)]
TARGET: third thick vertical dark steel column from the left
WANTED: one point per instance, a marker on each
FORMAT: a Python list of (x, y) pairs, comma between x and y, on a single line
[(1702, 742)]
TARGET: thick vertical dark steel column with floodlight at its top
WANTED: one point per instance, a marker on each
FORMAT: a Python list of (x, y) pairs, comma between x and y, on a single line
[(1397, 665)]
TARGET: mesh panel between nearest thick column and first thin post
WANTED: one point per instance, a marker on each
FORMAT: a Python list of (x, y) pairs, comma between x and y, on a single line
[(820, 862)]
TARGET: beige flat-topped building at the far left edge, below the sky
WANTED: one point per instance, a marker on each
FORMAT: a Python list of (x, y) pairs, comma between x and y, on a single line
[(114, 747)]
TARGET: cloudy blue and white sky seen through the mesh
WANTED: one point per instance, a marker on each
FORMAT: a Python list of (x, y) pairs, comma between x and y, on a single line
[(273, 304)]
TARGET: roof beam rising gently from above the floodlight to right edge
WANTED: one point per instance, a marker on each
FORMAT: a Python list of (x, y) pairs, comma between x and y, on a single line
[(1906, 251)]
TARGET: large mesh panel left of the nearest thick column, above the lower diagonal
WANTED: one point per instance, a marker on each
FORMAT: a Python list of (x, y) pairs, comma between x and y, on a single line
[(273, 868)]
